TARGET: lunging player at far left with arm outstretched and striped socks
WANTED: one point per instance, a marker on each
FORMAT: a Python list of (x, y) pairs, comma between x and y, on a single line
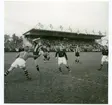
[(20, 62)]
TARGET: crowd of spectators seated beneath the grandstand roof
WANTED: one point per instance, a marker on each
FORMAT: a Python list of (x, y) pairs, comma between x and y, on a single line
[(69, 45)]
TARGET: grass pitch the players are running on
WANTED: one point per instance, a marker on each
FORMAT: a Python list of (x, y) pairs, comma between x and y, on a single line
[(85, 84)]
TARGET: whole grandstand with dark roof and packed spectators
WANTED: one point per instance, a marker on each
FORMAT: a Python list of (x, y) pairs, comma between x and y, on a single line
[(69, 40)]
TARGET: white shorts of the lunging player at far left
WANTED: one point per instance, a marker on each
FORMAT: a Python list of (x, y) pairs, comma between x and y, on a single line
[(19, 62)]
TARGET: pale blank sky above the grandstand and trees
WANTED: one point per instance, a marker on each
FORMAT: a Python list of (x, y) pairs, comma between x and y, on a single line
[(21, 16)]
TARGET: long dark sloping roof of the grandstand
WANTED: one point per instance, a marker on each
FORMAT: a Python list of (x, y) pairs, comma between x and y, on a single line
[(33, 33)]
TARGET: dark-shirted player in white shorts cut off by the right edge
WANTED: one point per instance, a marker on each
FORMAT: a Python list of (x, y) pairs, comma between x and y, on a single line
[(104, 56)]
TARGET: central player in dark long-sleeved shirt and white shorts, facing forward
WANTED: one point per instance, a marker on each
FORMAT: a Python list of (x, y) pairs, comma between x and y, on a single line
[(62, 59)]
